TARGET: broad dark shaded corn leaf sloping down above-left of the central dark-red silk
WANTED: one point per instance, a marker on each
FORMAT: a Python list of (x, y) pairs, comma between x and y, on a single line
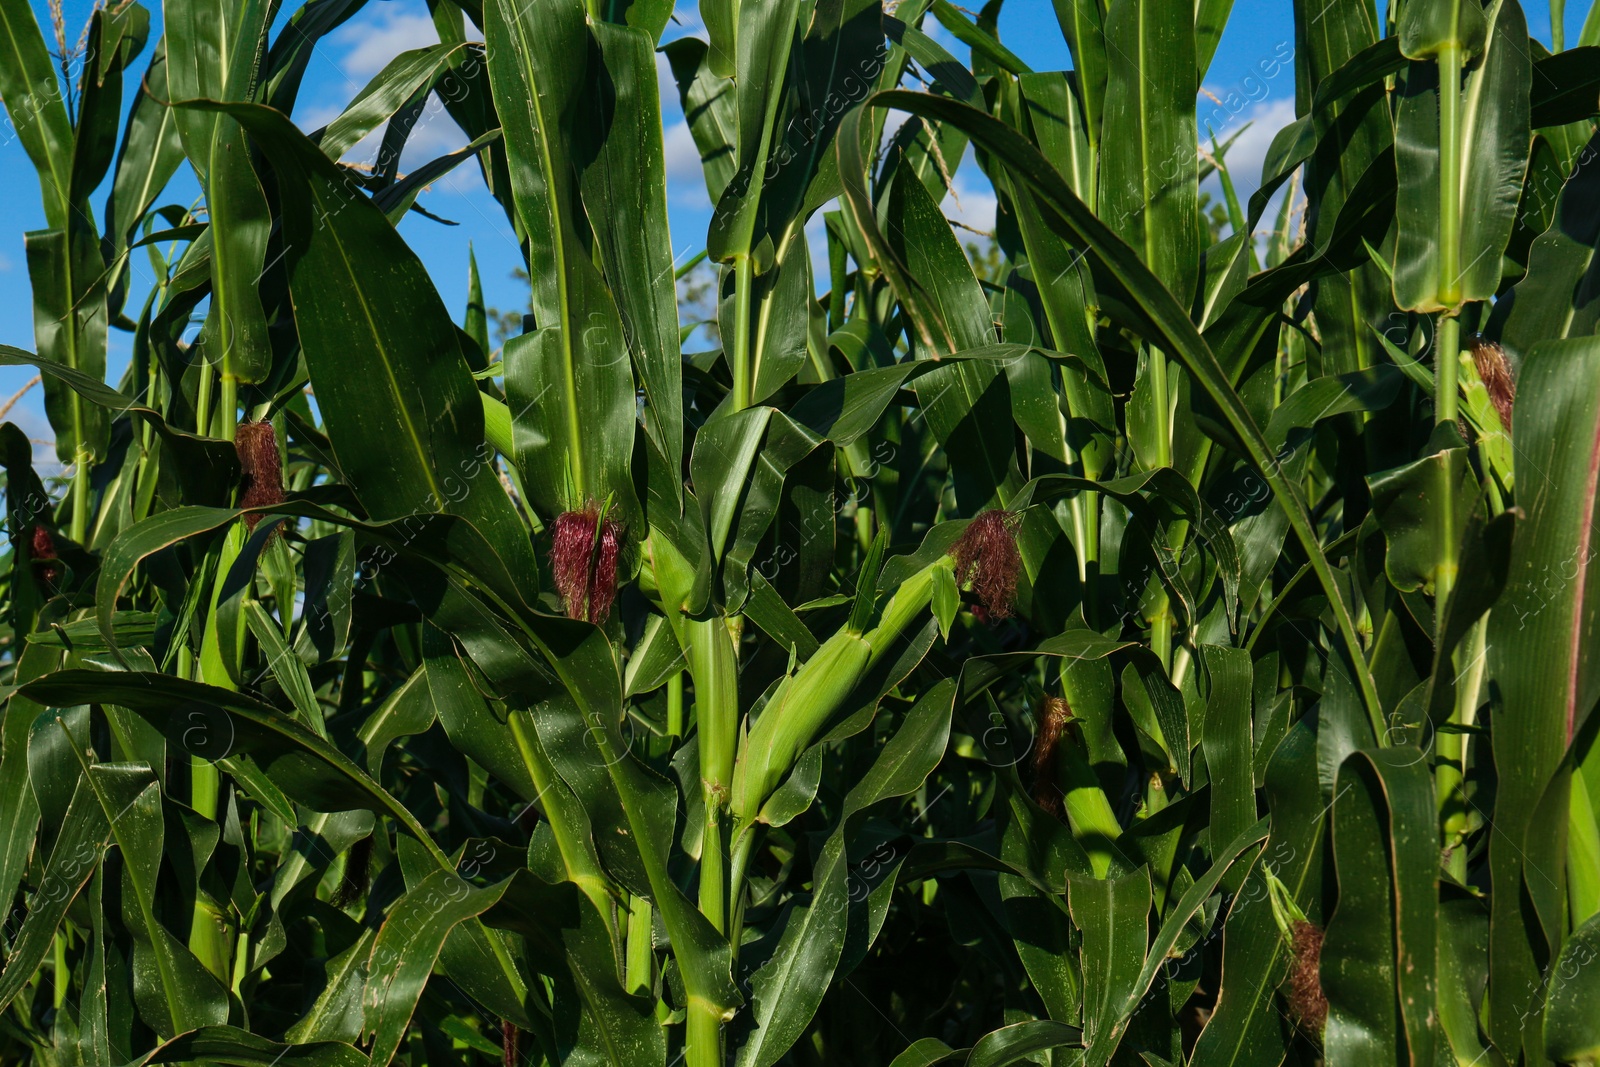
[(407, 428)]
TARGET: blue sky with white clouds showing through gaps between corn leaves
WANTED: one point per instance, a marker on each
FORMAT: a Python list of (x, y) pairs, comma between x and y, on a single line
[(346, 60)]
